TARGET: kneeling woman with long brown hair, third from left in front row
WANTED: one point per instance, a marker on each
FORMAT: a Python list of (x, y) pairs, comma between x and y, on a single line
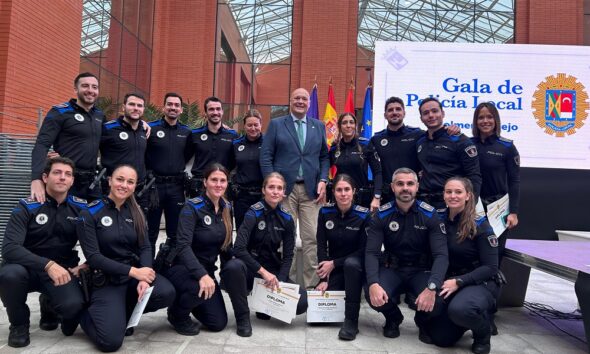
[(204, 234)]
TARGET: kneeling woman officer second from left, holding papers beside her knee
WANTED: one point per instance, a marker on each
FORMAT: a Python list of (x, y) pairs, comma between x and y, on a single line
[(116, 245)]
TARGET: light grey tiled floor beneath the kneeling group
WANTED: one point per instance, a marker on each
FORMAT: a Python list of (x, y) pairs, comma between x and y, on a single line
[(520, 332)]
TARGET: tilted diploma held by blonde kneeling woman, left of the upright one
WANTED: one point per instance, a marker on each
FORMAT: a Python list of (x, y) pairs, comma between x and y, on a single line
[(280, 304)]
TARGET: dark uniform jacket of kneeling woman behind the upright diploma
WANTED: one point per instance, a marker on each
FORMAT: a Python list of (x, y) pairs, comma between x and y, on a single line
[(340, 236)]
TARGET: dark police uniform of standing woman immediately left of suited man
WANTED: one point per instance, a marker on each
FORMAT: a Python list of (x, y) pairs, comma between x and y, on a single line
[(248, 179)]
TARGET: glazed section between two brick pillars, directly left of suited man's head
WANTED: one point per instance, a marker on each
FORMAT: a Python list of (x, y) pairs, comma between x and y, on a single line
[(253, 61)]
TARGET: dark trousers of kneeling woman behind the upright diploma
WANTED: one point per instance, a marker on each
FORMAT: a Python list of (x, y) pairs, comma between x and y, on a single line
[(350, 278)]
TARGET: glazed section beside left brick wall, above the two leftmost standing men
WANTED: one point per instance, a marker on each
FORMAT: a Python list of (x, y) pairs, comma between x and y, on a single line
[(116, 45)]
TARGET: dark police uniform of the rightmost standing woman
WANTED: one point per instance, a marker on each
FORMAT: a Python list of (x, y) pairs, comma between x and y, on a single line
[(499, 163)]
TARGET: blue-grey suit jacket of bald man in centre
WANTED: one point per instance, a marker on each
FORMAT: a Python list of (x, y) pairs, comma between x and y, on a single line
[(281, 153)]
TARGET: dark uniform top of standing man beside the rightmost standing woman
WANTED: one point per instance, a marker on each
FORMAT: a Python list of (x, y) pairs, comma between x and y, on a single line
[(442, 157)]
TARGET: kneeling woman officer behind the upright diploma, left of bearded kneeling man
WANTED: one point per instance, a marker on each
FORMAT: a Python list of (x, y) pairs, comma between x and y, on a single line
[(341, 238)]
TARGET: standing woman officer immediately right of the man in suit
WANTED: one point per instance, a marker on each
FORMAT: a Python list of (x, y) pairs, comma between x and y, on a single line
[(353, 155)]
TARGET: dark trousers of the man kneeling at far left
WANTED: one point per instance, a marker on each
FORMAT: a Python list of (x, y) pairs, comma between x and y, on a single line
[(17, 281)]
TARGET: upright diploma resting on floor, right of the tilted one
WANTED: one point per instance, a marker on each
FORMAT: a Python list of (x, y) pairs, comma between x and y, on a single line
[(327, 307)]
